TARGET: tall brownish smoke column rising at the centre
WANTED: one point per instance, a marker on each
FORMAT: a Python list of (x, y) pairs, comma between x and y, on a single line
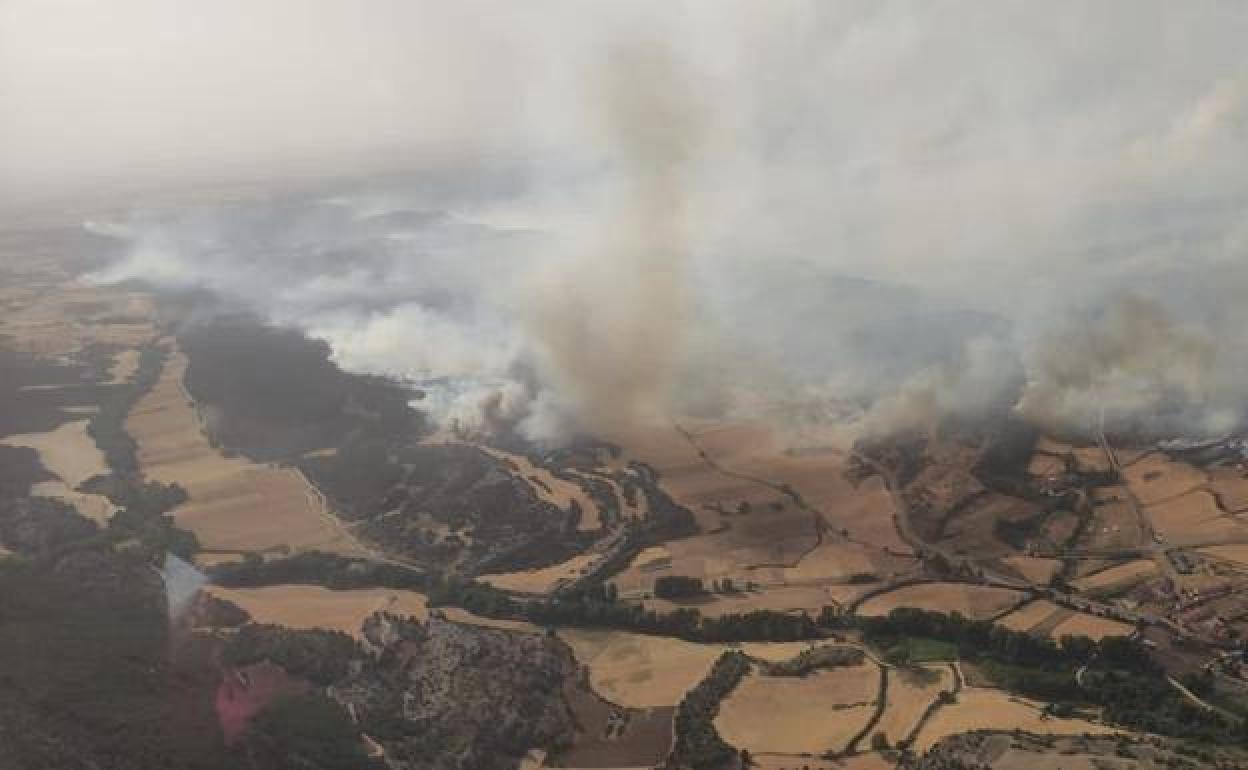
[(610, 324)]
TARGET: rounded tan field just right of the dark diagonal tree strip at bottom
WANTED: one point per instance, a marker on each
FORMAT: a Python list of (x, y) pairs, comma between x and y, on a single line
[(817, 713)]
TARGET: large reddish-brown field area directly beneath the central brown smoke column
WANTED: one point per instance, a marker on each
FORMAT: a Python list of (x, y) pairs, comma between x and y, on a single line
[(772, 540)]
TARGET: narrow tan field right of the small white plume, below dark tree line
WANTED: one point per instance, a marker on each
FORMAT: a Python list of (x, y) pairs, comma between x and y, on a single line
[(313, 607)]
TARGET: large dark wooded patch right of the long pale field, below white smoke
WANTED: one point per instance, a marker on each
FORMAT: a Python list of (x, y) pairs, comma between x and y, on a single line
[(274, 394)]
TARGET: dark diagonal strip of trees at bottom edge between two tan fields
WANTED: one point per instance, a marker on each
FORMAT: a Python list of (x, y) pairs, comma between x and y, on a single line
[(698, 746)]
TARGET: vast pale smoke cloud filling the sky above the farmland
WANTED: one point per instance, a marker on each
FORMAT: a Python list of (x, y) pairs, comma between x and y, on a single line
[(578, 218)]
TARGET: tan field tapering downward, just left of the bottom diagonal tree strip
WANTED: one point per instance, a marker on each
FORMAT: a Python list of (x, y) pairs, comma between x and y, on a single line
[(637, 671)]
